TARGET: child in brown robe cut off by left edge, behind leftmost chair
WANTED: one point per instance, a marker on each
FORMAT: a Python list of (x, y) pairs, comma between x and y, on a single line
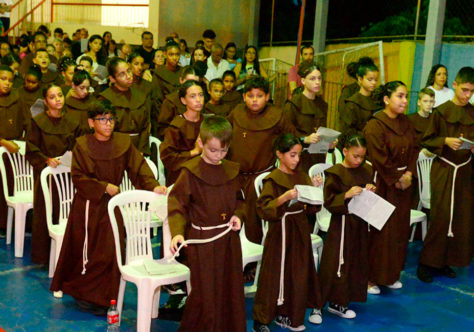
[(15, 121)]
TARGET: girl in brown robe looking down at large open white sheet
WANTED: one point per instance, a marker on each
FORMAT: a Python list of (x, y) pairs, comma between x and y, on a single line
[(344, 272)]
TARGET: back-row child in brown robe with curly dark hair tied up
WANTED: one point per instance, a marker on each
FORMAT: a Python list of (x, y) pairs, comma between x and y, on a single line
[(360, 106)]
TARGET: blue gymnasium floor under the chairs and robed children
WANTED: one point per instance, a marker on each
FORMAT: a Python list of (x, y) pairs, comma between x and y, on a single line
[(446, 305)]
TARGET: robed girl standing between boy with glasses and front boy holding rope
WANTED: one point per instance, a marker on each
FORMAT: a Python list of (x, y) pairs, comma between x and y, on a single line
[(181, 138)]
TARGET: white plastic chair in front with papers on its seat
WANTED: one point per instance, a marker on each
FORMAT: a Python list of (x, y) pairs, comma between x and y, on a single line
[(134, 208)]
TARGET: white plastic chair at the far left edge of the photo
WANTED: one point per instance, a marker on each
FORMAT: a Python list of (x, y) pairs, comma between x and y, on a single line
[(22, 199)]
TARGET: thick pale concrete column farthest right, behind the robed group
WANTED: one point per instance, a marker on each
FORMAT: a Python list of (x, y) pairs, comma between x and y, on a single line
[(434, 33)]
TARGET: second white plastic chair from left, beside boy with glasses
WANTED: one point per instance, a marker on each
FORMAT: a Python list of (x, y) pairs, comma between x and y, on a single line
[(65, 188)]
